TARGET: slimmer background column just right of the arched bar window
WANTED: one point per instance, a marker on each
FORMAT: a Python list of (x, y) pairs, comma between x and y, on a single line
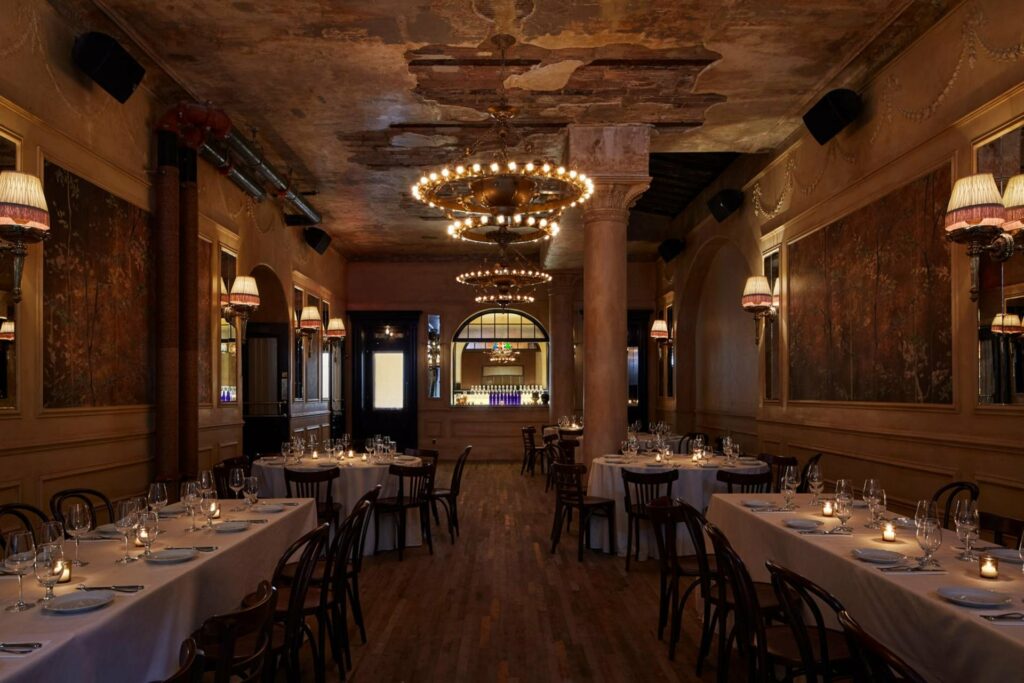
[(561, 316)]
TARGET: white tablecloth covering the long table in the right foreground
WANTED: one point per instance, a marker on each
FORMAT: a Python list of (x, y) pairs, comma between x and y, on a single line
[(943, 642)]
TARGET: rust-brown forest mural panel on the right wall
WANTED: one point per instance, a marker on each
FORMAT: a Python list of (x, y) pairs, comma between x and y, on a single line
[(869, 309)]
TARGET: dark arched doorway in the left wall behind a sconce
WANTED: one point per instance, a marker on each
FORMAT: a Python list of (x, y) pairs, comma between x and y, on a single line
[(265, 368)]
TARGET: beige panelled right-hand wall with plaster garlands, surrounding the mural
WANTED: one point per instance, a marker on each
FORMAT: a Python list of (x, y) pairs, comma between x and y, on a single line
[(918, 116)]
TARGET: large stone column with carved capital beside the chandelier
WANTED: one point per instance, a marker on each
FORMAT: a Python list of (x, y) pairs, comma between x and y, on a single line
[(617, 158)]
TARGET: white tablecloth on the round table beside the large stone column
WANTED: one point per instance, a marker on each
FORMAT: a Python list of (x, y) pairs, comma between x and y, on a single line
[(696, 486)]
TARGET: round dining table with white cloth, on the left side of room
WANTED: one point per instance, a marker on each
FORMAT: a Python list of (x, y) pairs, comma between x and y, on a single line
[(356, 478)]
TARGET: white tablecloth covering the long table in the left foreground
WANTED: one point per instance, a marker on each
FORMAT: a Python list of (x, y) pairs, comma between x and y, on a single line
[(139, 636)]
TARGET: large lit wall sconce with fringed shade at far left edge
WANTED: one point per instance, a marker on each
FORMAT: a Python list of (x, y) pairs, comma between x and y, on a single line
[(25, 220)]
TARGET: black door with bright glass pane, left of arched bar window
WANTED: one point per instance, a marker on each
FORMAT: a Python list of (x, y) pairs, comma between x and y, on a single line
[(385, 381)]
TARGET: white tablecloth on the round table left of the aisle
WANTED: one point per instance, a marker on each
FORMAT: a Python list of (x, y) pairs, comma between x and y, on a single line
[(356, 480)]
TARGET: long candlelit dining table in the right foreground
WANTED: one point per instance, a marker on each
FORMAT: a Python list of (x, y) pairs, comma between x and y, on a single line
[(921, 616)]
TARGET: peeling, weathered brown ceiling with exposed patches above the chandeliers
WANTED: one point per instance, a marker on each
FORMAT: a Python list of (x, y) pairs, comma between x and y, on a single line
[(357, 98)]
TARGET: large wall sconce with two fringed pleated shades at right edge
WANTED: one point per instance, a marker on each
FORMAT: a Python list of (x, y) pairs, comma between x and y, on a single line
[(978, 218)]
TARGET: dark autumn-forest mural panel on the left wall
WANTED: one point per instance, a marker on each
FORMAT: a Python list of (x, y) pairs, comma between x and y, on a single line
[(98, 297)]
